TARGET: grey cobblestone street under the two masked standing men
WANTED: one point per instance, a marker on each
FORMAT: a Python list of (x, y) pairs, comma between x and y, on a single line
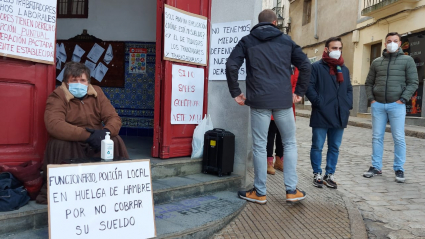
[(389, 209)]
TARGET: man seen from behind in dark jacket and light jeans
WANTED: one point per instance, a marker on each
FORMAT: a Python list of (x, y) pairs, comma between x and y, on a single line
[(269, 55)]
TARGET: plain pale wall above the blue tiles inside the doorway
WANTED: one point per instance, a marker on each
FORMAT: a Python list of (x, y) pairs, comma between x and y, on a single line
[(111, 20)]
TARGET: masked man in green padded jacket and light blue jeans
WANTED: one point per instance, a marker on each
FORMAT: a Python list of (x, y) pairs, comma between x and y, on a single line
[(390, 84)]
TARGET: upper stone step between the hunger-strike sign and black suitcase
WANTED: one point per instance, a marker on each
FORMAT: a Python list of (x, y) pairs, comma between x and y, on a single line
[(175, 167)]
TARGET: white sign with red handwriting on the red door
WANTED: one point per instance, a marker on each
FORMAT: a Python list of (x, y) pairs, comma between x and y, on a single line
[(187, 95)]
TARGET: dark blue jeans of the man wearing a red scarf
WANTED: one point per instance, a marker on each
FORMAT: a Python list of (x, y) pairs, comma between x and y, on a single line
[(318, 140)]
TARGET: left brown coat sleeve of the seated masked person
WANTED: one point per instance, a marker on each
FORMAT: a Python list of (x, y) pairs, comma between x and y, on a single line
[(54, 119)]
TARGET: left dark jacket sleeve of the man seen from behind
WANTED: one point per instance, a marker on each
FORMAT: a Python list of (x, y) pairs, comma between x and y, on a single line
[(234, 62)]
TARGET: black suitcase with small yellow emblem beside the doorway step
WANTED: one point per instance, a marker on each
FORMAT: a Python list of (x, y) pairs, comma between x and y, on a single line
[(219, 152)]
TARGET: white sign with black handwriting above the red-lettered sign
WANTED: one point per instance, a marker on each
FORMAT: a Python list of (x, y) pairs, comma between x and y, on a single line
[(185, 36)]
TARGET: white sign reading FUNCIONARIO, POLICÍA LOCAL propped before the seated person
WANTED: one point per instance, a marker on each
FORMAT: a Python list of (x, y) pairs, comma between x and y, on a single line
[(101, 200)]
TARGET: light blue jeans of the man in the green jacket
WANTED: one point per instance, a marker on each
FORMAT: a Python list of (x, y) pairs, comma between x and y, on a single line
[(396, 114)]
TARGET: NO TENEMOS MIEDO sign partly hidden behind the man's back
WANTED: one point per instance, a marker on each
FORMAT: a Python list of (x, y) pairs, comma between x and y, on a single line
[(224, 37)]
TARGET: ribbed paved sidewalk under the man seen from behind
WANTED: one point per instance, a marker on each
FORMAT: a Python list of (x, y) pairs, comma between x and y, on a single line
[(323, 214)]
